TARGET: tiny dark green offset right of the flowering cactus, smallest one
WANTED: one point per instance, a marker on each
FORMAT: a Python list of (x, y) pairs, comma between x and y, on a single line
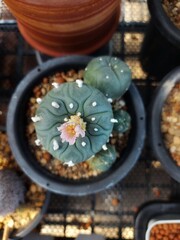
[(124, 121)]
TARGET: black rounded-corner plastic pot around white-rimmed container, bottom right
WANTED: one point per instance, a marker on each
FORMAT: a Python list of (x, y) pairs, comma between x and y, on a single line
[(153, 211)]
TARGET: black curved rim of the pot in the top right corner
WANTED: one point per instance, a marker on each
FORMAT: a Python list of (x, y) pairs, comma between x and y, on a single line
[(163, 22)]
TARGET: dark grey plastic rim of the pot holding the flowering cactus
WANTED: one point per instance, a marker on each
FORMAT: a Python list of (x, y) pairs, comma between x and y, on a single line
[(74, 188)]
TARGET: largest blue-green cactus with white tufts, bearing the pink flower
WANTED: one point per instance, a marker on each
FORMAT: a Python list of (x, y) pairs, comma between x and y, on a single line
[(57, 111)]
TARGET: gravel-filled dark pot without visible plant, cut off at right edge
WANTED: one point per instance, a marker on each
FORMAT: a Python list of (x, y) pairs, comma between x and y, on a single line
[(165, 123)]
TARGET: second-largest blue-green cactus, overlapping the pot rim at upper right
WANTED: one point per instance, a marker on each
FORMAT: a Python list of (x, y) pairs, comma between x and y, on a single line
[(109, 74)]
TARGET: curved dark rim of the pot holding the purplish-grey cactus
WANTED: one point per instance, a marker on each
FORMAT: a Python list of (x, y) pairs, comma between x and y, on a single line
[(21, 233)]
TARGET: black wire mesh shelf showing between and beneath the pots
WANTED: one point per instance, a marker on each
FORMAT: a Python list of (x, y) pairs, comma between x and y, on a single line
[(111, 212)]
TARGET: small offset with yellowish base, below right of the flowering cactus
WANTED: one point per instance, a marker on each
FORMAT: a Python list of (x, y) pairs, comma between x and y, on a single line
[(103, 160)]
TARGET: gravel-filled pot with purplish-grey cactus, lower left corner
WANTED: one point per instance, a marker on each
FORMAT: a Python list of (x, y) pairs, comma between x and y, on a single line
[(22, 202)]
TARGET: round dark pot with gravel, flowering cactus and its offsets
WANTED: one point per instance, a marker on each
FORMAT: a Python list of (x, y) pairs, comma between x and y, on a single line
[(82, 124)]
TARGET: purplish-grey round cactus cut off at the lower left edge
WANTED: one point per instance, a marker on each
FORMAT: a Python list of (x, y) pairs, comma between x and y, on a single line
[(11, 191)]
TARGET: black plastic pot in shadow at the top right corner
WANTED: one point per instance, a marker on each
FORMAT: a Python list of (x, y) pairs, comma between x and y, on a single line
[(160, 51)]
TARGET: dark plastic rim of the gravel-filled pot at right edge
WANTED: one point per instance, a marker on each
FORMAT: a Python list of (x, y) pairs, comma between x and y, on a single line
[(156, 137)]
